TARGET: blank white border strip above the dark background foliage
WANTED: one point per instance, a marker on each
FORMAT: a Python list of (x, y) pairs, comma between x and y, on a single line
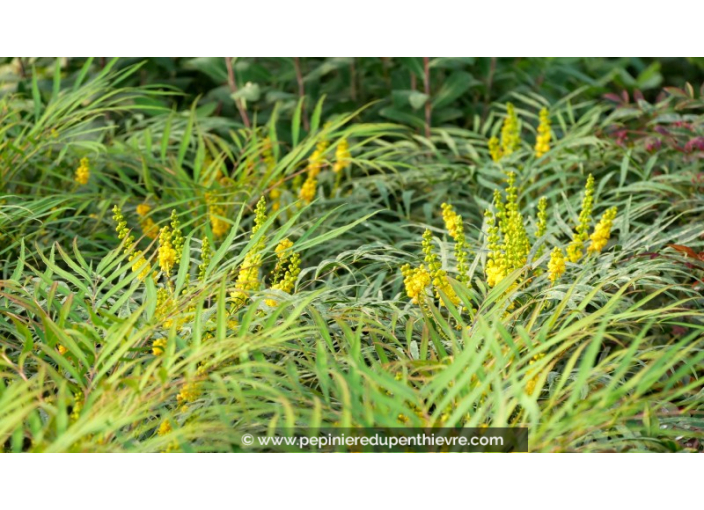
[(363, 28)]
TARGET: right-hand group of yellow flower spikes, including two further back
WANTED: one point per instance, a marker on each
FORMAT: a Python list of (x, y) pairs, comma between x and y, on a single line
[(510, 246)]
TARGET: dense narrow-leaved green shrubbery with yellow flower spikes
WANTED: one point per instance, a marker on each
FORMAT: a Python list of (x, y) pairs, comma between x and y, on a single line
[(173, 280)]
